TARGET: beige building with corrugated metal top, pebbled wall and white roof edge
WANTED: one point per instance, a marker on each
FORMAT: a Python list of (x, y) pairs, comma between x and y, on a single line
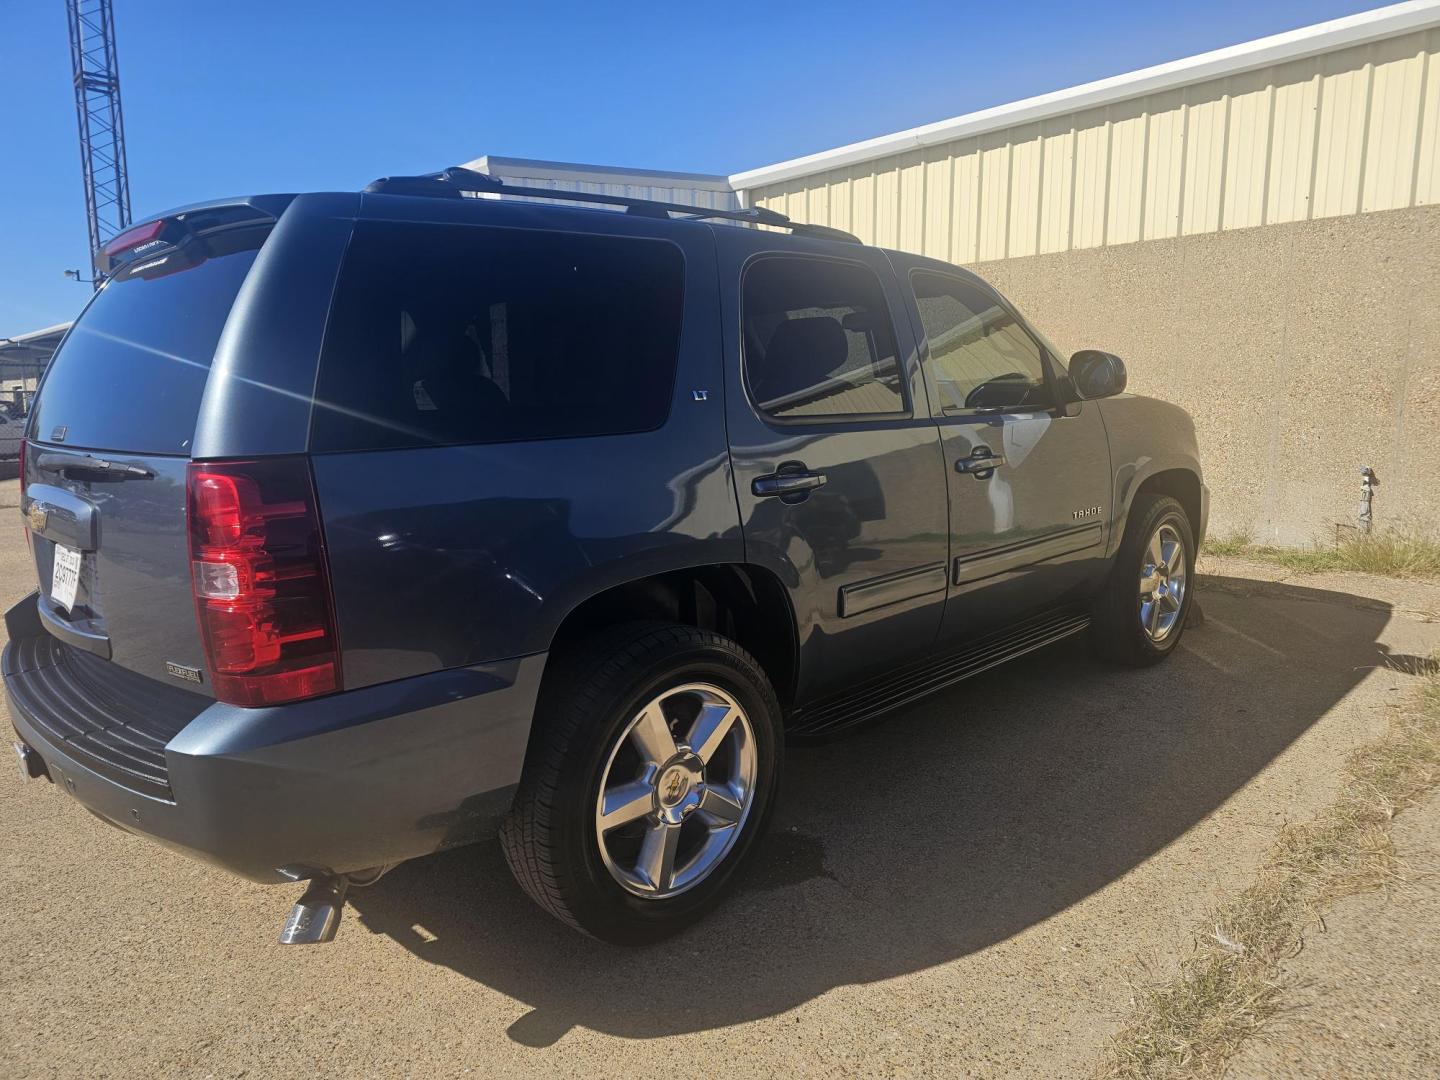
[(1255, 230)]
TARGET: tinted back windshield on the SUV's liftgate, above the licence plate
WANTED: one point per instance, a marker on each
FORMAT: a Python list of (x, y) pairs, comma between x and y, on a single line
[(132, 374)]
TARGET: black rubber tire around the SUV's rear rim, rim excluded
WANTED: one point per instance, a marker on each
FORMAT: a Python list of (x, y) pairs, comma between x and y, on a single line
[(585, 706)]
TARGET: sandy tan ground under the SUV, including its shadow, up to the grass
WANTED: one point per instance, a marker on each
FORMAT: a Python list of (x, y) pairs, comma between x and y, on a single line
[(964, 891)]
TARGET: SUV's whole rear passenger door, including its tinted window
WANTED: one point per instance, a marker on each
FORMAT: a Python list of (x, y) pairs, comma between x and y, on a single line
[(837, 462)]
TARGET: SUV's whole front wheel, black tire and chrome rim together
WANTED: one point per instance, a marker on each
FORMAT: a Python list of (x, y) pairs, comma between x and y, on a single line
[(1141, 614)]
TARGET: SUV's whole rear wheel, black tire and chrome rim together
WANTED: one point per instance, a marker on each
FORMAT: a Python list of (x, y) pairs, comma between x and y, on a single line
[(650, 777)]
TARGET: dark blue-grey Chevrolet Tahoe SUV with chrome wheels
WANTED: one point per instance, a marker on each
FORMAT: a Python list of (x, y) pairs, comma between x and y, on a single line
[(368, 525)]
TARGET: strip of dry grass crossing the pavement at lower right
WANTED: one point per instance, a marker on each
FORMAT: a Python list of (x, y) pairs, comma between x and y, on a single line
[(1232, 984)]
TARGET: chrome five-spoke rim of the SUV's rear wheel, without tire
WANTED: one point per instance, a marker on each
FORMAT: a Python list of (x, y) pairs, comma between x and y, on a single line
[(676, 791)]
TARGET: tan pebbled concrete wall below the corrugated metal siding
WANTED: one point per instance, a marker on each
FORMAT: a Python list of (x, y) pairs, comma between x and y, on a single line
[(1302, 351)]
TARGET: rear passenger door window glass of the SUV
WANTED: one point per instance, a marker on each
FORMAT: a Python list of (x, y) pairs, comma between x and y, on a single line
[(819, 341)]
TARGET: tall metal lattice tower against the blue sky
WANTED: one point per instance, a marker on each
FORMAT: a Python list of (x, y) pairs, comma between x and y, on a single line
[(102, 123)]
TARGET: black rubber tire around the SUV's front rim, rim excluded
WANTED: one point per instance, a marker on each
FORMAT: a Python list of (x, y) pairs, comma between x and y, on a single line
[(1115, 629)]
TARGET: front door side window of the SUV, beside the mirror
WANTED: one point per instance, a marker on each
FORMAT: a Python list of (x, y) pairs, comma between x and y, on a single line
[(980, 355)]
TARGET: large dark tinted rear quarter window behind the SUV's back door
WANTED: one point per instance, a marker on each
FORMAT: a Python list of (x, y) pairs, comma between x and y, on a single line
[(444, 335)]
